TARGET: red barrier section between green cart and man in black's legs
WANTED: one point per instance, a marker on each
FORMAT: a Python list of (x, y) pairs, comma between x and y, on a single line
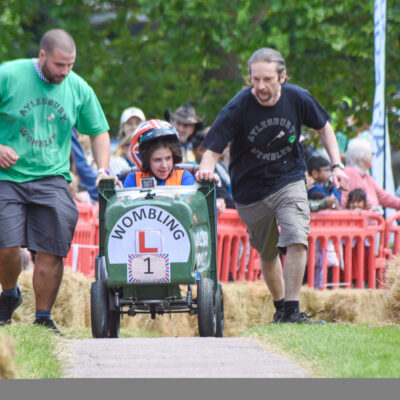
[(236, 259)]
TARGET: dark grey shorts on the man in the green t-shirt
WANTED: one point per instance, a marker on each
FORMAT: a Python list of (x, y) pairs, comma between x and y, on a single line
[(39, 214)]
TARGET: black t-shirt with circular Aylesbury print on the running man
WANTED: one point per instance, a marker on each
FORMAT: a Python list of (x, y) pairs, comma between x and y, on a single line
[(265, 151)]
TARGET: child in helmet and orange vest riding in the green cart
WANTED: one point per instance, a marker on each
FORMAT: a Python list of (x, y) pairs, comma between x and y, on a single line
[(159, 151)]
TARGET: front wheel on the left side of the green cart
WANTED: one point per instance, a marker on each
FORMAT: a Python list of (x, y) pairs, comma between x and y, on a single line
[(99, 309)]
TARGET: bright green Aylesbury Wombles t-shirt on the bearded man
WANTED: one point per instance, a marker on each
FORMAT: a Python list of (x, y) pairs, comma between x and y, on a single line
[(36, 120)]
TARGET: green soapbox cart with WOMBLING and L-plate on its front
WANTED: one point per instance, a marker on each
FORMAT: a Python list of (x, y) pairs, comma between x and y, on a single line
[(155, 241)]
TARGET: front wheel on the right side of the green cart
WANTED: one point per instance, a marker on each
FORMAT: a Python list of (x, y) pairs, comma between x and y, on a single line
[(206, 309)]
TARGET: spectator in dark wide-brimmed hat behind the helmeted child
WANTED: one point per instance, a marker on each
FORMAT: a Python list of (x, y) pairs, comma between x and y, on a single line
[(186, 122)]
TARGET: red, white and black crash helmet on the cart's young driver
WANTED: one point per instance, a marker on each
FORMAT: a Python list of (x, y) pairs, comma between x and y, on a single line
[(149, 131)]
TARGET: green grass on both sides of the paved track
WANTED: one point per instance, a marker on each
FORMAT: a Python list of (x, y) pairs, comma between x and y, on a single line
[(331, 350)]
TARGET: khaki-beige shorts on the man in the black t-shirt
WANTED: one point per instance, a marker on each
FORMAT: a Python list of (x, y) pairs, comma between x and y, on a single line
[(287, 208)]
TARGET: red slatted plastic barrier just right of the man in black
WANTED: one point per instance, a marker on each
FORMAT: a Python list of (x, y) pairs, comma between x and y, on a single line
[(362, 235)]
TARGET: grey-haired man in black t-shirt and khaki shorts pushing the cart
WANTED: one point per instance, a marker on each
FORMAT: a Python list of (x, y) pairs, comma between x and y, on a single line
[(267, 169)]
